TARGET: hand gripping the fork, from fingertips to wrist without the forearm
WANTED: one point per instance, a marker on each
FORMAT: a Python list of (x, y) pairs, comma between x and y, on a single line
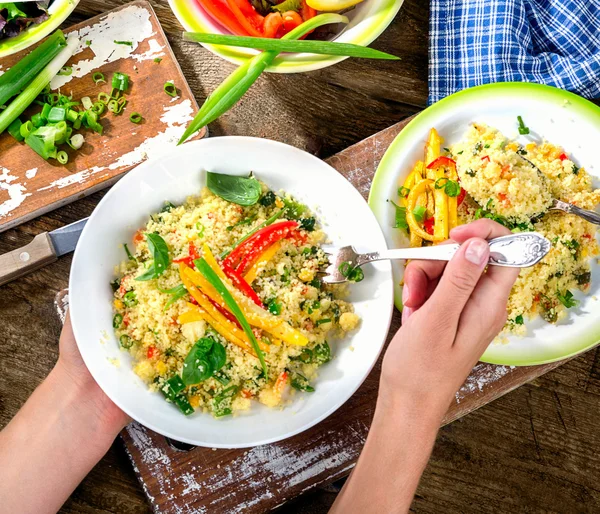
[(451, 313)]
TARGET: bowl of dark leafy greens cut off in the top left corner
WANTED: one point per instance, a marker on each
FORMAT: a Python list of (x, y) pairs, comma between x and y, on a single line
[(23, 24)]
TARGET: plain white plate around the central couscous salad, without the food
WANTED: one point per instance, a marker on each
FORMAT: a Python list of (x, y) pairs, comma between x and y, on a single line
[(173, 177)]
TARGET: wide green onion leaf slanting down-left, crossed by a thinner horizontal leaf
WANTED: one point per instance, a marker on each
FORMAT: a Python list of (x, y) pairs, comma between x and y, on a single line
[(235, 86)]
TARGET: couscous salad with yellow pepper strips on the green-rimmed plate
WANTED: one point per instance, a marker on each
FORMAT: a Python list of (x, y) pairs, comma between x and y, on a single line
[(488, 175)]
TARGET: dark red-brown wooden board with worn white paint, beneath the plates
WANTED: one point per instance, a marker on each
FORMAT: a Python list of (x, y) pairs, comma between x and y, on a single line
[(178, 479)]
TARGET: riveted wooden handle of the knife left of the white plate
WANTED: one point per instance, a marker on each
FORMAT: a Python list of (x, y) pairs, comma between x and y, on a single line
[(24, 260)]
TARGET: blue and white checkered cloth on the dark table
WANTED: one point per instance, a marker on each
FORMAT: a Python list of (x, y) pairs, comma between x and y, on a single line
[(473, 42)]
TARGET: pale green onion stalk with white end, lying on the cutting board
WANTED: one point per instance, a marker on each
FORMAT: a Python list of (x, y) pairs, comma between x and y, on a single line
[(36, 86)]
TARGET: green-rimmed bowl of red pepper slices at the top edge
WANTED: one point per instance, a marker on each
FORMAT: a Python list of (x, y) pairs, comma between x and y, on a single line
[(274, 18)]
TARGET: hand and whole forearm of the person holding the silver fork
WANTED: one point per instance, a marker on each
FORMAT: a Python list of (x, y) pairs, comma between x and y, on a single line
[(451, 313)]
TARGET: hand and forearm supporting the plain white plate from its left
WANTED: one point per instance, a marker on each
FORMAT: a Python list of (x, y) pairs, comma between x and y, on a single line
[(57, 437)]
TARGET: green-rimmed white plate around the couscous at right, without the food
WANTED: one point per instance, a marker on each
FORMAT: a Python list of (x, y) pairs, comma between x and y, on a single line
[(558, 116)]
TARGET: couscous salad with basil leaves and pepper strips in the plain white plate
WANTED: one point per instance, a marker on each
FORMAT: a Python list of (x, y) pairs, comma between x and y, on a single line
[(219, 302)]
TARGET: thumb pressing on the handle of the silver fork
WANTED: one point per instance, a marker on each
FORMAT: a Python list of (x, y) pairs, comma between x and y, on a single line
[(458, 282)]
